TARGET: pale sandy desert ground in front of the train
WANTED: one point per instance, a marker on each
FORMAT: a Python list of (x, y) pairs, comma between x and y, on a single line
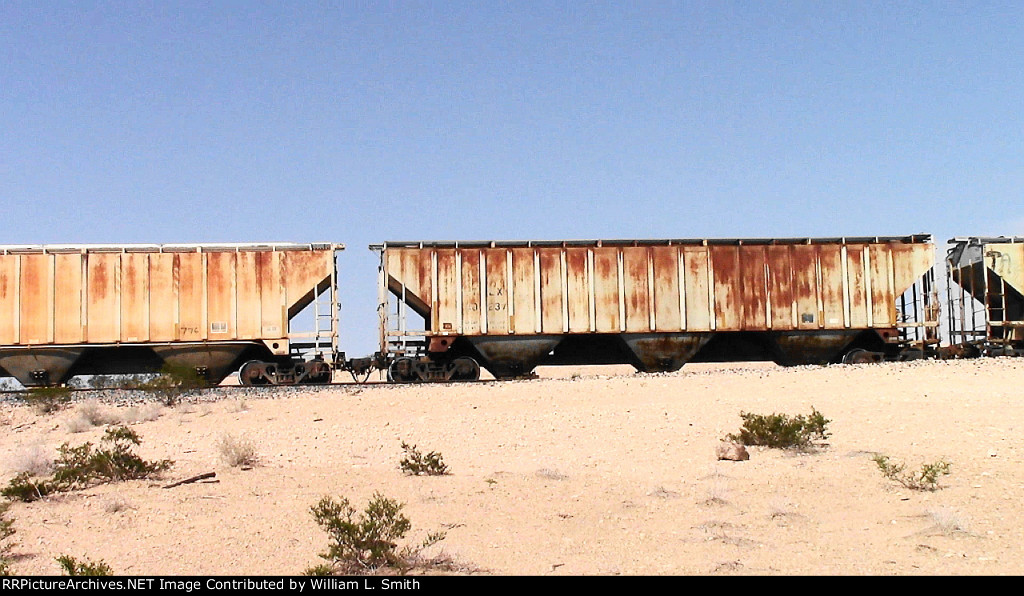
[(593, 472)]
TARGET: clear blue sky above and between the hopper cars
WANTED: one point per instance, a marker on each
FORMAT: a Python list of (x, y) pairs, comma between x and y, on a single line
[(363, 122)]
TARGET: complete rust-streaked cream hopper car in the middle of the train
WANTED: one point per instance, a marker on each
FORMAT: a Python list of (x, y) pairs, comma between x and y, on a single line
[(447, 309)]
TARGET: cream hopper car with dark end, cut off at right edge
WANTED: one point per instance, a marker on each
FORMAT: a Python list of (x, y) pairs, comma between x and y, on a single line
[(986, 305)]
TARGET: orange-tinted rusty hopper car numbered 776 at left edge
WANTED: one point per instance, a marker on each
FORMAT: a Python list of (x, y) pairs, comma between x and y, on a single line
[(68, 311)]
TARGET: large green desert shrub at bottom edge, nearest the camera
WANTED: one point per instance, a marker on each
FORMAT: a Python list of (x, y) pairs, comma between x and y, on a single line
[(369, 541)]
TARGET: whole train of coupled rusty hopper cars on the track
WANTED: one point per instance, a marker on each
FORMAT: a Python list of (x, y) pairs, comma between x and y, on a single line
[(448, 310)]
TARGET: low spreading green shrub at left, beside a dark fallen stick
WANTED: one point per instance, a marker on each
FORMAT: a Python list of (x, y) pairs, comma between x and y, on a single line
[(77, 467)]
